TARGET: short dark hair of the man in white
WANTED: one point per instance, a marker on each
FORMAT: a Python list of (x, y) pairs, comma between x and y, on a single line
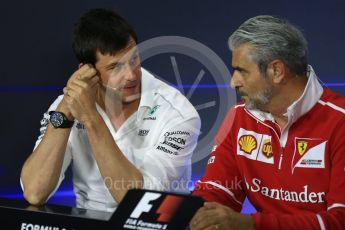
[(100, 30)]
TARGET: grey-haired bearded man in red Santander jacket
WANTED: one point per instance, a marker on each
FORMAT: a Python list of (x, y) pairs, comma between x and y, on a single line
[(284, 147)]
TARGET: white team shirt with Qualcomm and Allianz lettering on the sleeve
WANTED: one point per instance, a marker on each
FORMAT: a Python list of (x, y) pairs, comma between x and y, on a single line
[(159, 139)]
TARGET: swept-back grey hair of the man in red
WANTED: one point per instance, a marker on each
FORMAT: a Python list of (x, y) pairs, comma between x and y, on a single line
[(272, 38)]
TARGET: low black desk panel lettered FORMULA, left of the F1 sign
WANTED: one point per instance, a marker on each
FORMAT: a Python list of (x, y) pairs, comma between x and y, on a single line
[(18, 214)]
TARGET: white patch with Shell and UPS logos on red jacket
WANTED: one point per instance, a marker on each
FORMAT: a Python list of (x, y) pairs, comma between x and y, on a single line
[(255, 146)]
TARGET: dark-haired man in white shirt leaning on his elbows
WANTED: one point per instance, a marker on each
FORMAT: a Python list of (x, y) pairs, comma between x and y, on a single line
[(121, 127)]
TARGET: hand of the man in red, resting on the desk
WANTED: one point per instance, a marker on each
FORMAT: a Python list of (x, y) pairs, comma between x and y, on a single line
[(216, 216)]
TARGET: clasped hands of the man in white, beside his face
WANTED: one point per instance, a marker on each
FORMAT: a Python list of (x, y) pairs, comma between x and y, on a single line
[(80, 93)]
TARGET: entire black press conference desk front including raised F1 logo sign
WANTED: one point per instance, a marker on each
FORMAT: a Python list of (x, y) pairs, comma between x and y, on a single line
[(140, 209)]
